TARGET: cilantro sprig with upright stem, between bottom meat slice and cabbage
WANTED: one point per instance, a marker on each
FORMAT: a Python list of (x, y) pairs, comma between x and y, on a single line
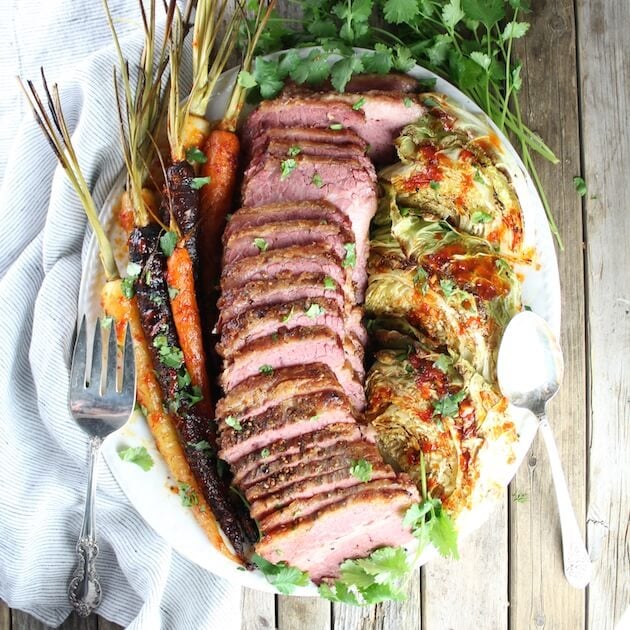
[(430, 523)]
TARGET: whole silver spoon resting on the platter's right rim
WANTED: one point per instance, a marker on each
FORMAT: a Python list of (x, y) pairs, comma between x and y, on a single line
[(530, 369)]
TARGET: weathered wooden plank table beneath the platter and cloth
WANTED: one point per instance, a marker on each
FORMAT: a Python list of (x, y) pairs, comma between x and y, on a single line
[(577, 95)]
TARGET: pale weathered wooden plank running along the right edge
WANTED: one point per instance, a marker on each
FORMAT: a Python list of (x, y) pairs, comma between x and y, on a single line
[(604, 51)]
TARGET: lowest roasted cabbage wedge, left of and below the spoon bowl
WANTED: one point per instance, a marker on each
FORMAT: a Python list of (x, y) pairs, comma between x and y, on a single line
[(434, 403)]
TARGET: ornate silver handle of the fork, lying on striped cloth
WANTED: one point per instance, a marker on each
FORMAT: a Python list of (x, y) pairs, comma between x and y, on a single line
[(84, 590)]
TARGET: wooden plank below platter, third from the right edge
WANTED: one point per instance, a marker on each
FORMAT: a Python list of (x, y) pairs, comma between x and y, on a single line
[(477, 583)]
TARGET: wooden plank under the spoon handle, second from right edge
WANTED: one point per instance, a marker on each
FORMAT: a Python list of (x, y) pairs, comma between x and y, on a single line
[(540, 597)]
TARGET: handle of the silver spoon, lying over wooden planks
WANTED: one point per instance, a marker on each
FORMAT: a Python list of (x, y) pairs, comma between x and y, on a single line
[(577, 564)]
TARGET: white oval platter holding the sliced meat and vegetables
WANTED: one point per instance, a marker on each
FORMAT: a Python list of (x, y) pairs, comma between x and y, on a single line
[(151, 492)]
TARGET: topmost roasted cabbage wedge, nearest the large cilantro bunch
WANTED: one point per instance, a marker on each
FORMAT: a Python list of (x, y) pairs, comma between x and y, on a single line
[(452, 166)]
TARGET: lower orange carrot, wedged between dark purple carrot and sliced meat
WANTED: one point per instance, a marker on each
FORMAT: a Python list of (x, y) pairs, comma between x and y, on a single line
[(181, 282)]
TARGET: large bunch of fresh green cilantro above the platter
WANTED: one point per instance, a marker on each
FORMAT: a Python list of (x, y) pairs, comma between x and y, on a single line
[(468, 42)]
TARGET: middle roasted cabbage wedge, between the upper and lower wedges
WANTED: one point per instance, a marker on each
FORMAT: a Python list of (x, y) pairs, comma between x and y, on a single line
[(453, 286)]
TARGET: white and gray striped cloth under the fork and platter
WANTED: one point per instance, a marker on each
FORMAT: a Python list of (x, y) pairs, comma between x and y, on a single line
[(43, 454)]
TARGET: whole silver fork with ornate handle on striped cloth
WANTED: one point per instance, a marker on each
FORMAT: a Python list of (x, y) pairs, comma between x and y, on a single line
[(101, 401)]
